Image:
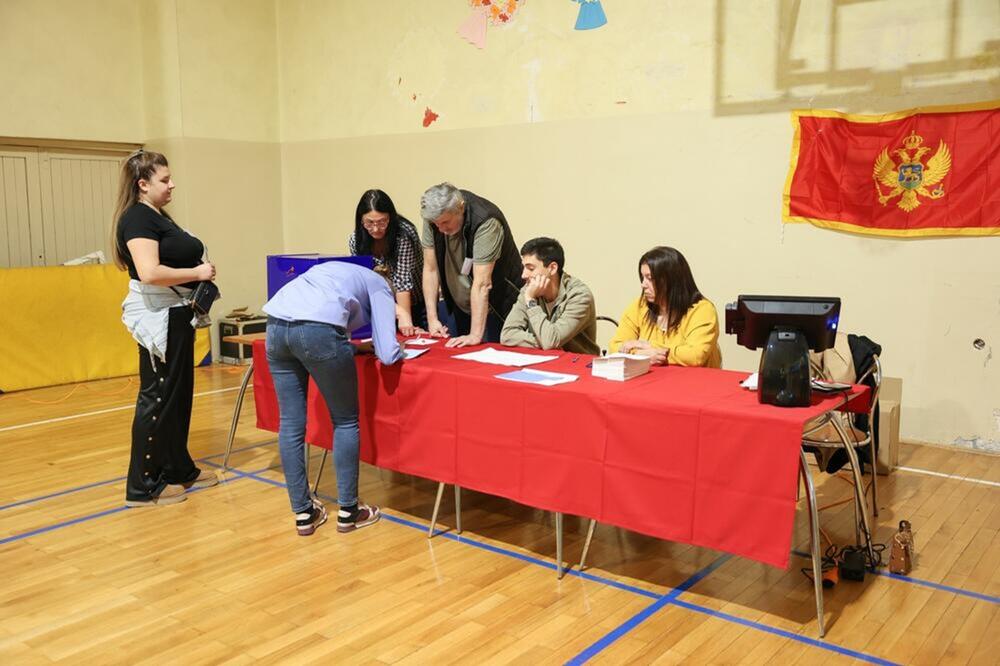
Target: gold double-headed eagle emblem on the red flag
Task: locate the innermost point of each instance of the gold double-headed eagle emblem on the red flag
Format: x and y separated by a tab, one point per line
911	177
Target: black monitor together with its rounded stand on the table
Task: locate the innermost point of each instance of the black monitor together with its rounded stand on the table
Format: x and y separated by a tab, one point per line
786	328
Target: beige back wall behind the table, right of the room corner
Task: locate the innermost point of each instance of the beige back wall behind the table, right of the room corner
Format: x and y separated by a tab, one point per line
669	125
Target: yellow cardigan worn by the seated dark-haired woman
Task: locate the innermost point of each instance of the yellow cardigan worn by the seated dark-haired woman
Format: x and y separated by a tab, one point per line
694	342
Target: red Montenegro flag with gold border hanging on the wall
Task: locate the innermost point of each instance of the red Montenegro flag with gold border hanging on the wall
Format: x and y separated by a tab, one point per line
922	172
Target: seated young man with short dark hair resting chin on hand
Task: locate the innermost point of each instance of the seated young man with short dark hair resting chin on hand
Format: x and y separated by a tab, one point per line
555	310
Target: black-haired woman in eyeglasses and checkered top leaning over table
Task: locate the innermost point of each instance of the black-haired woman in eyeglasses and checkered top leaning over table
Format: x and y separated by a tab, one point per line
392	240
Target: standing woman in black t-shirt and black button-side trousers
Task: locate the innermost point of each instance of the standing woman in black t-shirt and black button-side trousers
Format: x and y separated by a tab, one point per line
164	263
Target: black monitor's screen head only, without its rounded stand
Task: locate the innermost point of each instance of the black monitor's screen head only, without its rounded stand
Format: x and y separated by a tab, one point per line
752	318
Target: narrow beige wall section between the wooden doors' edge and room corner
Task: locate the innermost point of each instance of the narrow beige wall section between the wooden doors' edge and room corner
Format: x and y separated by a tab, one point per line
211	80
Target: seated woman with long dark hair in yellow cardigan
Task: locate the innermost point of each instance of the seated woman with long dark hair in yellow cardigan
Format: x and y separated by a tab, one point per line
671	322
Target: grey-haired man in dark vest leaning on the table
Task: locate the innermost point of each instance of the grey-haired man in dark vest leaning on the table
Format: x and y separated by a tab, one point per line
466	238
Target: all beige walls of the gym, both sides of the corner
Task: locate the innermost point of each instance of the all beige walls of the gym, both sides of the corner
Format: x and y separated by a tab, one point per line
668	125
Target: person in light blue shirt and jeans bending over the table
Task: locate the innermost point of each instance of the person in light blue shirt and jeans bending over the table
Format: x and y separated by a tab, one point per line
309	324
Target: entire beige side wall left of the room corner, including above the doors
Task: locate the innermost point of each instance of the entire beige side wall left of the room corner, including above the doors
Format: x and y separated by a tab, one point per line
195	80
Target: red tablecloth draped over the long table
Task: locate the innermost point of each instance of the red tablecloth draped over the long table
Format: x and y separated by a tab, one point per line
683	454
